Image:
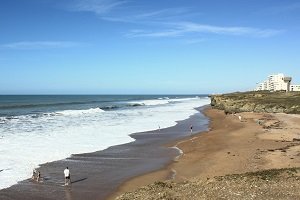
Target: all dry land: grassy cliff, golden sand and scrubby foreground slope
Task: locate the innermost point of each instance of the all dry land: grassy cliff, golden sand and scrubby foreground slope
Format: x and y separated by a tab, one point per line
252	157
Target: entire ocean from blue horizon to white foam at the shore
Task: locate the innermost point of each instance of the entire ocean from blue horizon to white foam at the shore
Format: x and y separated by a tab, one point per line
35	129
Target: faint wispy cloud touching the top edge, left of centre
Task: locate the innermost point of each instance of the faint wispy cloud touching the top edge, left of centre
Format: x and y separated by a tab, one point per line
96	6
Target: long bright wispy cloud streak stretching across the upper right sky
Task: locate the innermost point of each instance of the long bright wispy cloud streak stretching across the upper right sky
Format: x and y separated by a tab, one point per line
184	28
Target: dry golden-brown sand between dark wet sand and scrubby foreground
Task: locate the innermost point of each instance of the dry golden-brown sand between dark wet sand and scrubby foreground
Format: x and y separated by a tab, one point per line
259	141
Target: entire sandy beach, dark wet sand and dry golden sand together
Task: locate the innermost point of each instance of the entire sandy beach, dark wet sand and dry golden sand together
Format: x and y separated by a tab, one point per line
259	141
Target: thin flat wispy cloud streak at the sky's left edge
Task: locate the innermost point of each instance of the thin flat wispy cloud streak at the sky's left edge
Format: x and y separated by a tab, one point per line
32	45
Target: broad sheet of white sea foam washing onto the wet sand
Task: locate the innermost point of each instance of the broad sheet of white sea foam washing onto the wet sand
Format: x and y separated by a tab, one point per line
27	141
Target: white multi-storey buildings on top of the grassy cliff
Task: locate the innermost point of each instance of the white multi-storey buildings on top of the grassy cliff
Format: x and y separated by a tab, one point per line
277	82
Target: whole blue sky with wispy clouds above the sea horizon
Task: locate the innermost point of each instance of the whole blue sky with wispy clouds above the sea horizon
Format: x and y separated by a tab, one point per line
146	47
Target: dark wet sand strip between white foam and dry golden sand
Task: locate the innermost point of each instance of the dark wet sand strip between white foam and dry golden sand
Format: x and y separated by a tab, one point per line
97	175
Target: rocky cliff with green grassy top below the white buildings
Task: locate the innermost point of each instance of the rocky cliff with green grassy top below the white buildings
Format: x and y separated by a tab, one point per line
271	102
